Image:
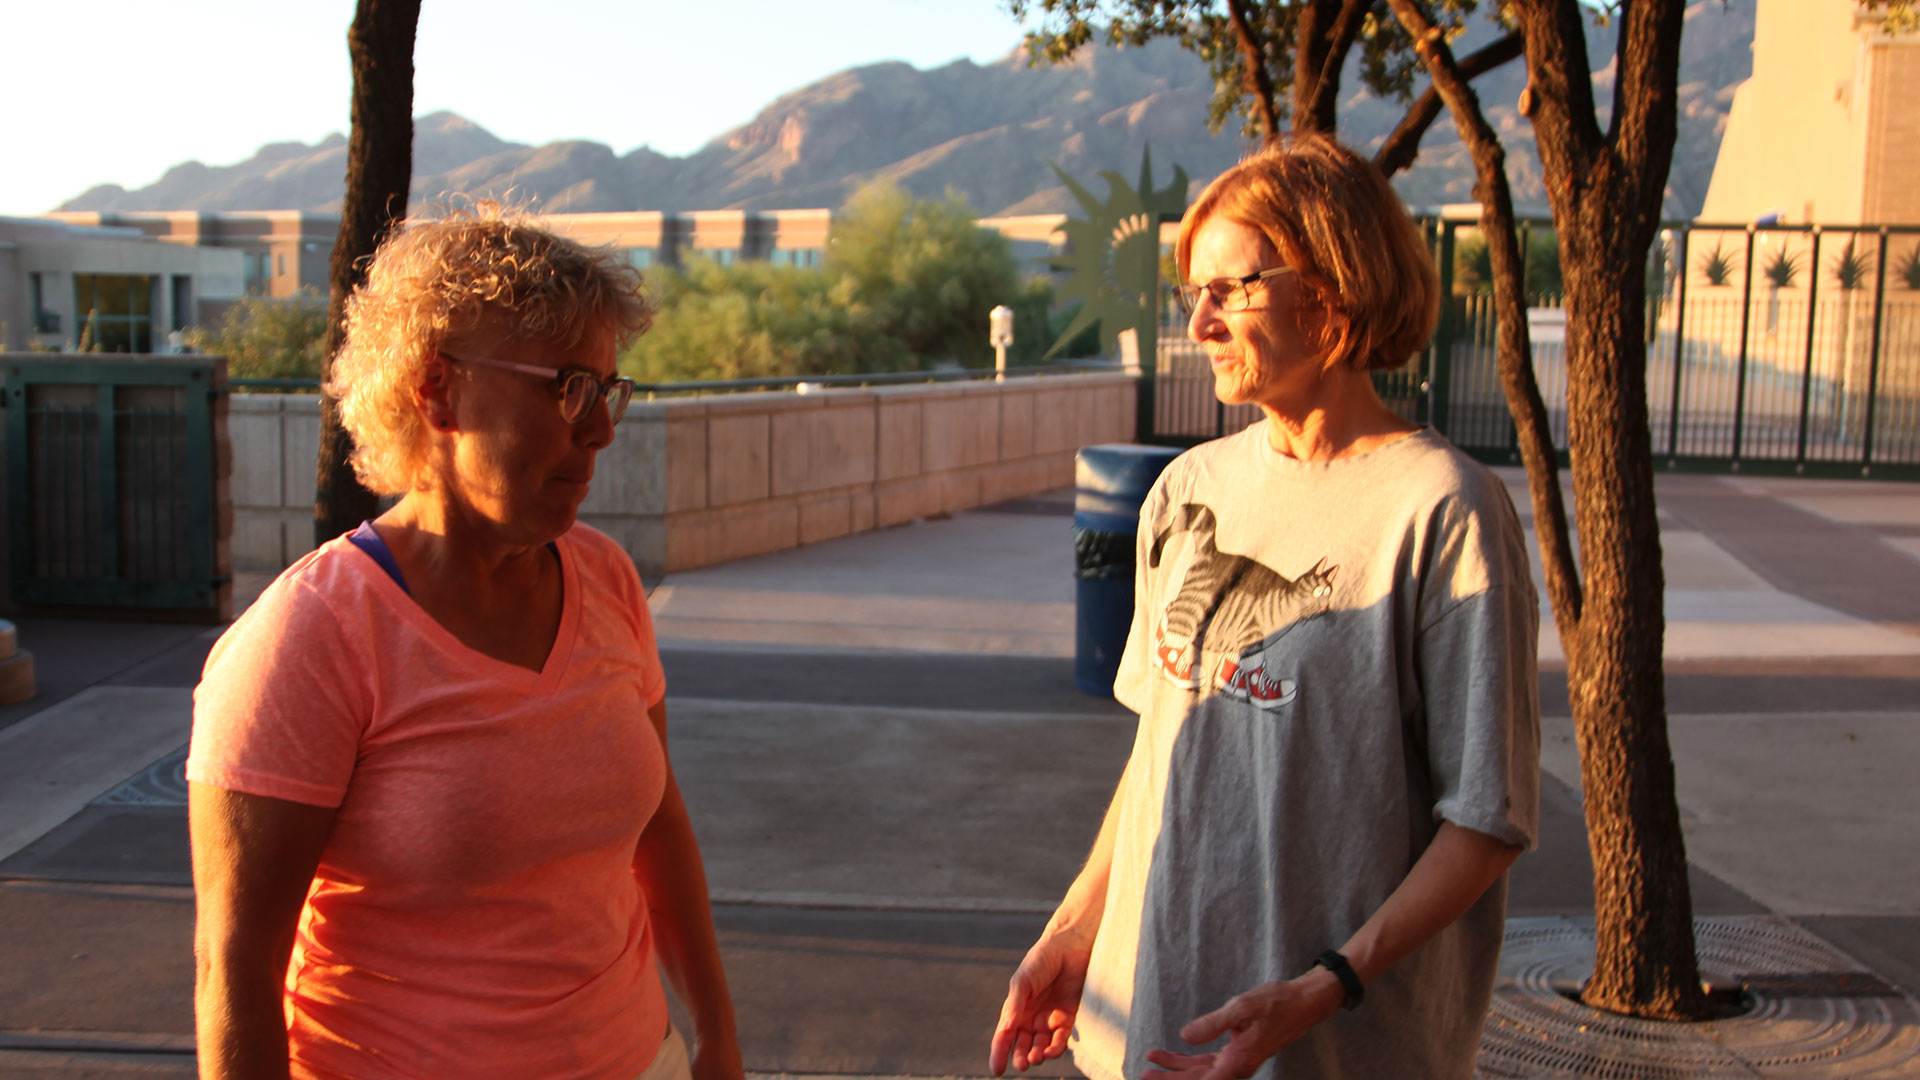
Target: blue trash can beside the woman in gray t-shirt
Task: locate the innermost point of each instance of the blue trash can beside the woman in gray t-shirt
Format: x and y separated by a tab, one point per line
1111	485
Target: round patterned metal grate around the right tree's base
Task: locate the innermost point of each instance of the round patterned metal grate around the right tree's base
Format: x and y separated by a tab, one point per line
1813	1012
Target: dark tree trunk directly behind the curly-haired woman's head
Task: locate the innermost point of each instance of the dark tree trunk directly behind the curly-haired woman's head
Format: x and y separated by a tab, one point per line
379	176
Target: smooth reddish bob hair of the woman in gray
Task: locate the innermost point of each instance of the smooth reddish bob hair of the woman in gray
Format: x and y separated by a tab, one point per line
1353	245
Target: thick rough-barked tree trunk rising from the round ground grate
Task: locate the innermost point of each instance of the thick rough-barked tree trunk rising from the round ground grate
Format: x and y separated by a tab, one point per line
1606	195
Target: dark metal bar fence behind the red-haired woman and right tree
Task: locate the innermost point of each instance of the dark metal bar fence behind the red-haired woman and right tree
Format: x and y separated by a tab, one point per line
1773	349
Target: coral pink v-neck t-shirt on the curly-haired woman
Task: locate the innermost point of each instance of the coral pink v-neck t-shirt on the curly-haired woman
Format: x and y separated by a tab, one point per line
475	912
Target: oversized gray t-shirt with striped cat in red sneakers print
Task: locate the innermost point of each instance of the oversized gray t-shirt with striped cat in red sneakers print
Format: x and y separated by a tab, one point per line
1330	658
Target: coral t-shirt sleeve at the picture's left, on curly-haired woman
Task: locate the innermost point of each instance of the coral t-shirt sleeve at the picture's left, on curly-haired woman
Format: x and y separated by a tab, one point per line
283	702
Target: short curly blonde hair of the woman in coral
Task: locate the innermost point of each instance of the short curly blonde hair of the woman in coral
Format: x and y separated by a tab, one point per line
469	272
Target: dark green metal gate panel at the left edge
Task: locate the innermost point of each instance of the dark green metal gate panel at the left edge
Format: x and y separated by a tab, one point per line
112	481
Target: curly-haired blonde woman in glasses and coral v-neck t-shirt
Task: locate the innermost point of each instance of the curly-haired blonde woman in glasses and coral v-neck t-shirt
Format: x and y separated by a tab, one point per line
433	816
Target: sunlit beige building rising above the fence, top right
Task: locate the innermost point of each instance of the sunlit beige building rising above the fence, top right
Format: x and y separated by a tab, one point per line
1829	126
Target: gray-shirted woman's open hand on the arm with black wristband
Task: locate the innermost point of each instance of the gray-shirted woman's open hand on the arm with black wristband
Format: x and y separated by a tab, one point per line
1259	1023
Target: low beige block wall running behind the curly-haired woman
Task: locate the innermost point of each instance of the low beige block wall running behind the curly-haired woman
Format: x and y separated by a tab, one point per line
698	481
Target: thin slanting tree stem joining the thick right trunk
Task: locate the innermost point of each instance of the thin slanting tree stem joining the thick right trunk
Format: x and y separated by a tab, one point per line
1510	308
